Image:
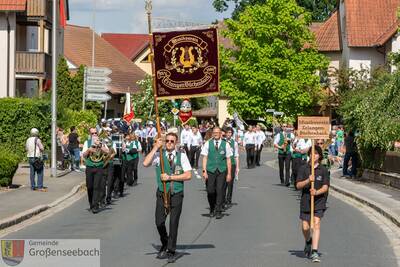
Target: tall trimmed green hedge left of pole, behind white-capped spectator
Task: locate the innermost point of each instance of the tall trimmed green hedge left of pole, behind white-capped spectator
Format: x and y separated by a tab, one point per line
18	116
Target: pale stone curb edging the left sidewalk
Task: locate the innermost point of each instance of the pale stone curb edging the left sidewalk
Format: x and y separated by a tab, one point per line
25	215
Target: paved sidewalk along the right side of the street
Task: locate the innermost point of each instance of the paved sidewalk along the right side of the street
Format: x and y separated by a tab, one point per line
383	199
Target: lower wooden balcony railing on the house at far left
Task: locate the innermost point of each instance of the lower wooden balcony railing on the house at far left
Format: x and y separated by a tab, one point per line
33	63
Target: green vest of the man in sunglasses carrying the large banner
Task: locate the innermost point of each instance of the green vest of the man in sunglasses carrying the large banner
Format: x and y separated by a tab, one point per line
177	185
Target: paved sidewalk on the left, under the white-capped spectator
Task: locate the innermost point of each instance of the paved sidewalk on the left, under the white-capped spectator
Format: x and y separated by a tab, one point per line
22	203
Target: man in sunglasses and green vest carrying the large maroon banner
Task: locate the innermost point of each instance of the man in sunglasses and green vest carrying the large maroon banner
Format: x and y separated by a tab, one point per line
177	170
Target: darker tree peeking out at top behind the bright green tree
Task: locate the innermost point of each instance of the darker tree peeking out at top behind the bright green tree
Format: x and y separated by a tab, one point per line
320	9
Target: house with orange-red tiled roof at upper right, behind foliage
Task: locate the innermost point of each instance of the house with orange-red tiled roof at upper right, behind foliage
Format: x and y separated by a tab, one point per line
360	33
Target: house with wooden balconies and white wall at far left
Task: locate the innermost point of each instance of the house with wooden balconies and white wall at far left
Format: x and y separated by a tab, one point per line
25	45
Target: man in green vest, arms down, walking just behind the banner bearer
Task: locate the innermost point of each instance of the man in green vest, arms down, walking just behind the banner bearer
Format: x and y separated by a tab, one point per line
217	167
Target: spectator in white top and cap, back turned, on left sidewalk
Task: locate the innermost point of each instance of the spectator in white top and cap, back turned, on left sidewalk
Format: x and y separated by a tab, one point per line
34	148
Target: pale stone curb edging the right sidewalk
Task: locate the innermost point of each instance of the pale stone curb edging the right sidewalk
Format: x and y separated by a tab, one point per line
395	219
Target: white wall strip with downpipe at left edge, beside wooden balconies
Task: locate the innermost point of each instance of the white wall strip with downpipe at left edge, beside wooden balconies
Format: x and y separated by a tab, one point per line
5	40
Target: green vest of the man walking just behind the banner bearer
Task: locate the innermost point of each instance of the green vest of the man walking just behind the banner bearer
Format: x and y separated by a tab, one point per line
216	160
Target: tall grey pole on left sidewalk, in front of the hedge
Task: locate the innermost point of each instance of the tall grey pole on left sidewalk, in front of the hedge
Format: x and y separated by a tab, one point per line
54	93
